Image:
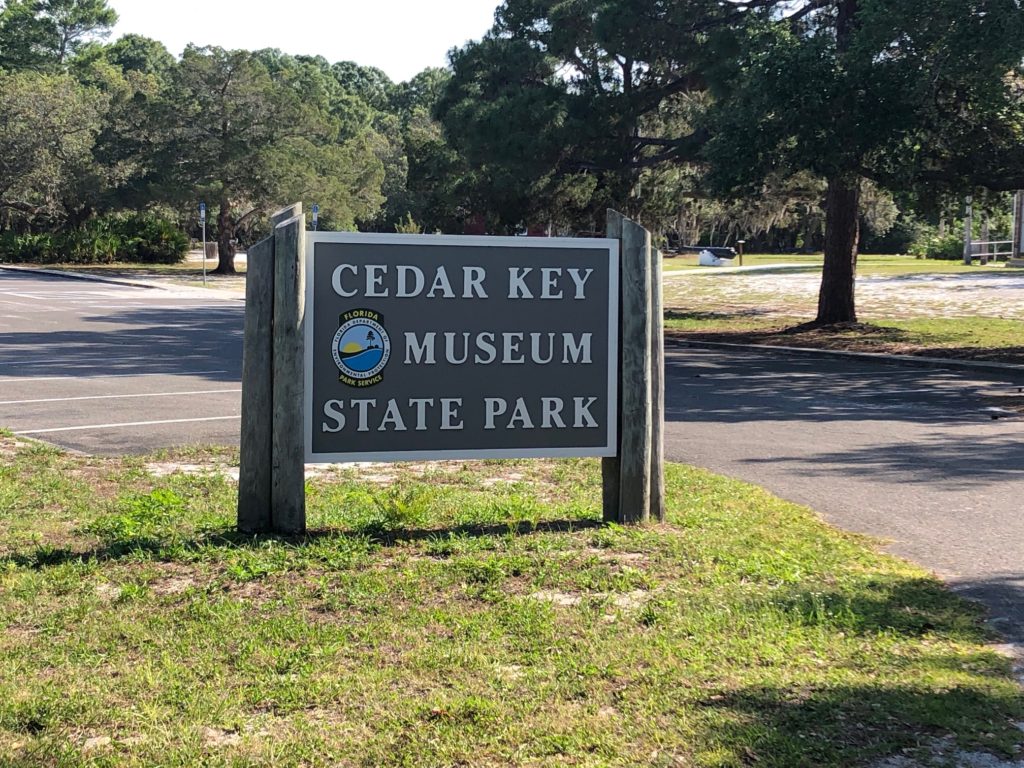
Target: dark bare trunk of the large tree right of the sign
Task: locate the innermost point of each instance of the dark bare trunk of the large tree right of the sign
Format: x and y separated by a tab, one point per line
836	300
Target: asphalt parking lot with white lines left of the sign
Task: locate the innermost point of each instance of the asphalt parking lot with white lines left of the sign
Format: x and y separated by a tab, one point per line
112	369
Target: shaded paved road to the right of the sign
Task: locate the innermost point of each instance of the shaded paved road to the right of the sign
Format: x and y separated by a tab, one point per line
901	453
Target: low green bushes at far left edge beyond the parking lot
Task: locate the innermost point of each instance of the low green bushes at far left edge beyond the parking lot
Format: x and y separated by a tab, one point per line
140	238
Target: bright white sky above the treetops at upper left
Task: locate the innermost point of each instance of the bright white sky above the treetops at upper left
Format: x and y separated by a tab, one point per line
401	37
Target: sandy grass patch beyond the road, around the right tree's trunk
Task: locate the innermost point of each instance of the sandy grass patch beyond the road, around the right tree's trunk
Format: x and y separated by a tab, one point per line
945	317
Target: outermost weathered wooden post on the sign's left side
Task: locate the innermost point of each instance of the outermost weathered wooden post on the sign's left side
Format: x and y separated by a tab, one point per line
257	460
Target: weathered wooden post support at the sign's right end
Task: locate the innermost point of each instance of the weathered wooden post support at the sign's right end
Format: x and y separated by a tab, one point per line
636	431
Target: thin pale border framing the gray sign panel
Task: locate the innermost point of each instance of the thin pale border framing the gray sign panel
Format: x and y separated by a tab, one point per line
603	245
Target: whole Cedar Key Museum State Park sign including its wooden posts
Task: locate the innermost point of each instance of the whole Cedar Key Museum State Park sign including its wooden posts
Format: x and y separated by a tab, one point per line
381	348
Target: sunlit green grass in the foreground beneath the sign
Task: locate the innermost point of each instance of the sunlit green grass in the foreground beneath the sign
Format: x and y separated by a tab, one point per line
466	615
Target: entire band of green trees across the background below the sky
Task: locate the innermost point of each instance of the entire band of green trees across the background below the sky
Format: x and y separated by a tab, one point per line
794	123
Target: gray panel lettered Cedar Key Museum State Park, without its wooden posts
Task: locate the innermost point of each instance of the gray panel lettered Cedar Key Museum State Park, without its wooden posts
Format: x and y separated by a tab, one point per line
459	348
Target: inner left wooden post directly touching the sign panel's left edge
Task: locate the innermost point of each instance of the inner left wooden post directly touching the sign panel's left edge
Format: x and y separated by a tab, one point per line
288	471
